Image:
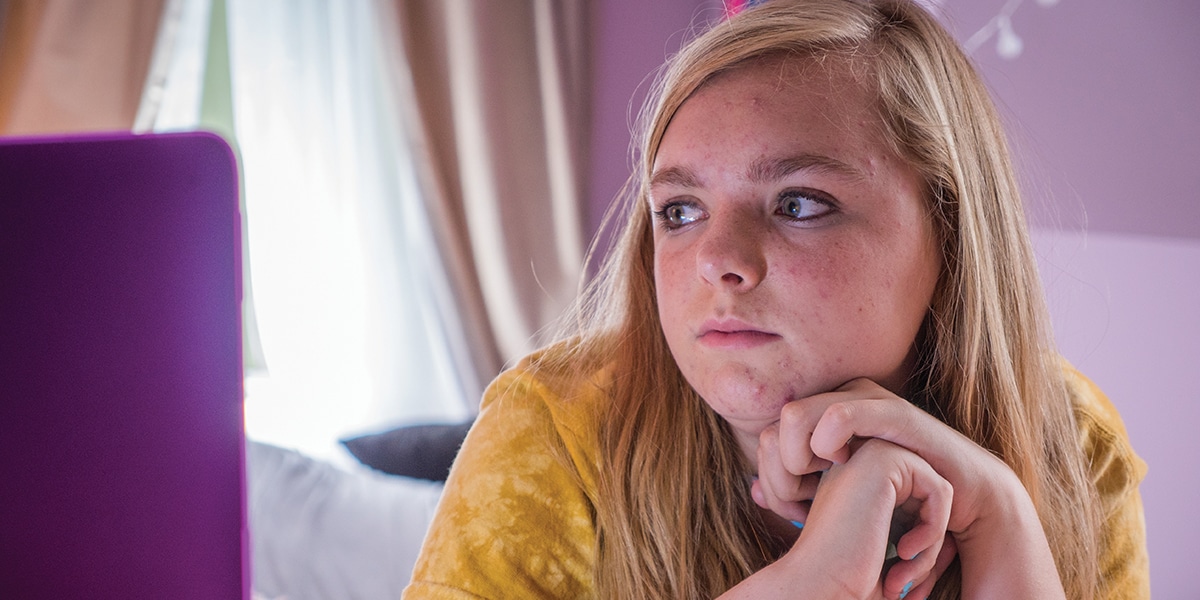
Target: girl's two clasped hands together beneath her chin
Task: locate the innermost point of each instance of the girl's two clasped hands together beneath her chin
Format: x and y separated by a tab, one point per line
856	465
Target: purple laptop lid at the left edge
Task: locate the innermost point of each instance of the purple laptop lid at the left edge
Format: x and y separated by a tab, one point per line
122	433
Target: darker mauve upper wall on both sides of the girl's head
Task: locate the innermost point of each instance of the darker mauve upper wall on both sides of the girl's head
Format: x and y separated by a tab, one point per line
1101	103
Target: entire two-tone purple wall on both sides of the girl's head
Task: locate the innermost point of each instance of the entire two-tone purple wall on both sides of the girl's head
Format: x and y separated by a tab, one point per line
1101	106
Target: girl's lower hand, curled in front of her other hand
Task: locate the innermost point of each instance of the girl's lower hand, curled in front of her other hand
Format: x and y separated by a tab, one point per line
855	508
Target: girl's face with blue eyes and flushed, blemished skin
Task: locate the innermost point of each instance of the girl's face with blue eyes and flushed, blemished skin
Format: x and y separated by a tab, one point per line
793	248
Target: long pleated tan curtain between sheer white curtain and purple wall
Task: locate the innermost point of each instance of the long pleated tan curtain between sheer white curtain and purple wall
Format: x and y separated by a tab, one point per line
496	98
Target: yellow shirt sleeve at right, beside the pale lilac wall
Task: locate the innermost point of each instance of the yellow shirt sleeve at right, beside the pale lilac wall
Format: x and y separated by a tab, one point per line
1117	472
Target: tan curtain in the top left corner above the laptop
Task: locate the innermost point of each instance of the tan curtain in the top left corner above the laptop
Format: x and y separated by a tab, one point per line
74	65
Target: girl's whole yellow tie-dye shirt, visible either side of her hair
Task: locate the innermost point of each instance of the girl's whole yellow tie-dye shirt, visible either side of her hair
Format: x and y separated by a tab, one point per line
518	519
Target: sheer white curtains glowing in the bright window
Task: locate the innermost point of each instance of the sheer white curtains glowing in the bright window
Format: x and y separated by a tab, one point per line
346	278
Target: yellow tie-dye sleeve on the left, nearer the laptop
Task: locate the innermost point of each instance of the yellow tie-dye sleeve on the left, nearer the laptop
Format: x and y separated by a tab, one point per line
515	520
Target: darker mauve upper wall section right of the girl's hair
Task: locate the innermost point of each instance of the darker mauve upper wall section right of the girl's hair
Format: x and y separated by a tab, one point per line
1103	101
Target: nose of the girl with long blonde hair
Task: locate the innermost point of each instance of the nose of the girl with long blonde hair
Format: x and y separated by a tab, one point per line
731	254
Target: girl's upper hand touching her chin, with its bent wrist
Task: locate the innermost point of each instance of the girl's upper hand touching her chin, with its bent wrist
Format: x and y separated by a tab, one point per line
993	520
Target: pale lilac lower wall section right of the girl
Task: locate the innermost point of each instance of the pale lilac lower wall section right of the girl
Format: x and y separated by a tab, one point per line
1124	311
